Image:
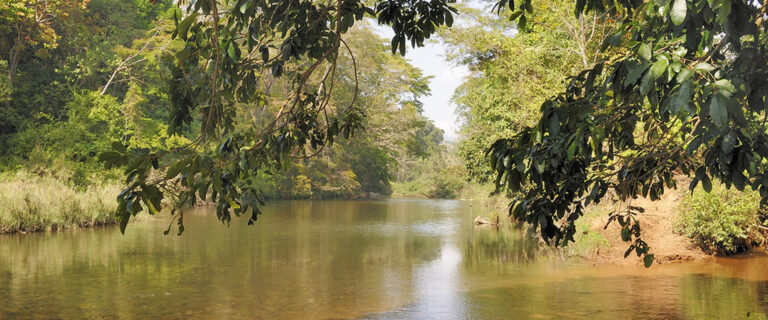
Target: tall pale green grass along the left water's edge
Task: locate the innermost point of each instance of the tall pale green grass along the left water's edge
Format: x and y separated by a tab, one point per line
30	203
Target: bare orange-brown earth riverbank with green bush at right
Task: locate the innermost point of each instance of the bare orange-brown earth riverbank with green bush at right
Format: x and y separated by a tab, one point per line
660	224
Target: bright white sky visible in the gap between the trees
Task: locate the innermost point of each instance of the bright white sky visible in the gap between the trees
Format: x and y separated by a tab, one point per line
446	78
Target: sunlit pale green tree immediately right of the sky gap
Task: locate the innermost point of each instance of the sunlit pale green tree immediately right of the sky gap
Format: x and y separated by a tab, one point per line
512	74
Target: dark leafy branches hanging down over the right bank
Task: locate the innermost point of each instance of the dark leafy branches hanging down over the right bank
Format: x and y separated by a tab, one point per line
684	92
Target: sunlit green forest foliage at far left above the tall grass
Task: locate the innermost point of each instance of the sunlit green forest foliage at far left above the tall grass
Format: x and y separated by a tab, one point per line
99	83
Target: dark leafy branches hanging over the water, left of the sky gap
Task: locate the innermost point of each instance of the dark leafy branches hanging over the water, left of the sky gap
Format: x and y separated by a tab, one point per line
280	58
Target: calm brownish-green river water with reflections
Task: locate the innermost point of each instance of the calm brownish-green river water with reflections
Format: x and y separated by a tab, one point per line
388	259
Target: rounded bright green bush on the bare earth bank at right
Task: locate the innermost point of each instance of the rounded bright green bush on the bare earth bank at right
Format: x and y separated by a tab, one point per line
723	221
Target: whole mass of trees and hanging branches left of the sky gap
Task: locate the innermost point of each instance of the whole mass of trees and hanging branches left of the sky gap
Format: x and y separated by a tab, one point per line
110	80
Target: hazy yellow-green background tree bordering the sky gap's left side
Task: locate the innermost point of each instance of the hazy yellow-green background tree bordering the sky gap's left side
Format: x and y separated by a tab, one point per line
388	90
